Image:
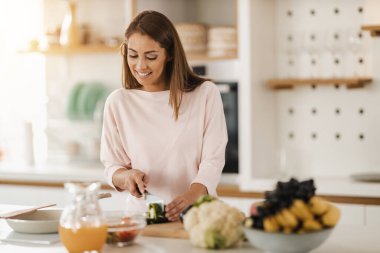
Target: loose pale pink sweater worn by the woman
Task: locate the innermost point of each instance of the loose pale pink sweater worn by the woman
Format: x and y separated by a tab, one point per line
139	131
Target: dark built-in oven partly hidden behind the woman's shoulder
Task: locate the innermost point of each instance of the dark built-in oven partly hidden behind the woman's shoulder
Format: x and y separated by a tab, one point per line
229	93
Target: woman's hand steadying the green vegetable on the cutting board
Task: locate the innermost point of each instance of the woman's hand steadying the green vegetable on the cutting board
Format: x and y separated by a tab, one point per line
181	202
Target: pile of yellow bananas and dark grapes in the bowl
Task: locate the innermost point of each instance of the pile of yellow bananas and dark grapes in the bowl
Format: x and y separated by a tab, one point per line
293	208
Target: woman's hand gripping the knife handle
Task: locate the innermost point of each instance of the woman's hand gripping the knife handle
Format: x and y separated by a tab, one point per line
132	180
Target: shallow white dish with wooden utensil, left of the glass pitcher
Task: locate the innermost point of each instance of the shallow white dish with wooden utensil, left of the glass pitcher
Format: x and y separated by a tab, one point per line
38	222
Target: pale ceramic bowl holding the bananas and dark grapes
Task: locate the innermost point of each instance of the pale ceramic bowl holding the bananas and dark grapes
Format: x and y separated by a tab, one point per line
286	243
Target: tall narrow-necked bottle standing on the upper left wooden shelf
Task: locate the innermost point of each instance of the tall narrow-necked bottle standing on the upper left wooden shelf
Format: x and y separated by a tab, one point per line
69	30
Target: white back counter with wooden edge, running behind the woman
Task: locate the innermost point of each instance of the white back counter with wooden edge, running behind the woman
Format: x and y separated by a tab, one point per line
342	190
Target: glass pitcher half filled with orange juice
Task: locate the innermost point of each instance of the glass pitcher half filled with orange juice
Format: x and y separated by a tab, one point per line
82	226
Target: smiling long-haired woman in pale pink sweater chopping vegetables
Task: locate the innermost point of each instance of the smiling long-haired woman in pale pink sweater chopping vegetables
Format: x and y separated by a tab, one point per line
164	132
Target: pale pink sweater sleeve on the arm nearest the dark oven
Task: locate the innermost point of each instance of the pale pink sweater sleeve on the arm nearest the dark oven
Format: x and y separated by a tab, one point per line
215	139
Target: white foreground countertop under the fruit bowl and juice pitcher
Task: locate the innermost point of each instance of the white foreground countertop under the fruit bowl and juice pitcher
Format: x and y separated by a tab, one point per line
345	238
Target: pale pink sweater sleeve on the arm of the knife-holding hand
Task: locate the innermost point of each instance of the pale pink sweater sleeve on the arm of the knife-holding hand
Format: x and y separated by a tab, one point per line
112	153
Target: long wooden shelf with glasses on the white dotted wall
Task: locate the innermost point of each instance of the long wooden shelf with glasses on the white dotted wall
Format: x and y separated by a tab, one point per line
354	82
